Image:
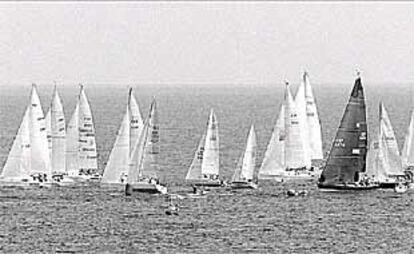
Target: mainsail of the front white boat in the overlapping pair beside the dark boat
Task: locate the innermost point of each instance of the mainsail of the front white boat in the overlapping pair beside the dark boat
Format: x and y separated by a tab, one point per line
295	152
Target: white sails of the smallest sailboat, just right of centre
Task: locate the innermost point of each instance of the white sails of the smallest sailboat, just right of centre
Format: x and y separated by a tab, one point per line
248	159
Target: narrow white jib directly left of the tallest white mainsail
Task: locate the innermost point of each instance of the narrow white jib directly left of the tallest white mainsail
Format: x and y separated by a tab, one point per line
300	103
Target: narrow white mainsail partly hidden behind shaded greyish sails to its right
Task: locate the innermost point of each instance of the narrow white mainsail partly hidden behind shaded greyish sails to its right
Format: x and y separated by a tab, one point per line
135	118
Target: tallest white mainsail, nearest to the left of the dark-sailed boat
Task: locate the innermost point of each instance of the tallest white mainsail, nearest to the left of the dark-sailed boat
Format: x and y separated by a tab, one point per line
313	122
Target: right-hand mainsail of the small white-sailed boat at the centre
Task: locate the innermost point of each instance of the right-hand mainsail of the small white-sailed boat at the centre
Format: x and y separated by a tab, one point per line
210	163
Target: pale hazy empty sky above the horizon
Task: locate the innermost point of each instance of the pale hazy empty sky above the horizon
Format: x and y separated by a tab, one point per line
205	42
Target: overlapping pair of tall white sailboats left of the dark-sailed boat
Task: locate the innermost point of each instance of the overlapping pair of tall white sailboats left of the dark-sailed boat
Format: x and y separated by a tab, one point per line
296	138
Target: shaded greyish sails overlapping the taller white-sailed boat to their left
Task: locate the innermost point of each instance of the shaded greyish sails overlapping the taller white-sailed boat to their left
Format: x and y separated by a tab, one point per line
144	158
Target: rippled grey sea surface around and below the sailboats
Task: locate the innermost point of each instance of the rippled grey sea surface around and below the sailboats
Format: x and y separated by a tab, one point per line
94	220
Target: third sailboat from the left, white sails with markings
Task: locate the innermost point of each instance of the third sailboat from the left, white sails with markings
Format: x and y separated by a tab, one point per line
81	154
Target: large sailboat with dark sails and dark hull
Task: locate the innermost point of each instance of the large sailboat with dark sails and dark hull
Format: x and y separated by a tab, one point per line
346	162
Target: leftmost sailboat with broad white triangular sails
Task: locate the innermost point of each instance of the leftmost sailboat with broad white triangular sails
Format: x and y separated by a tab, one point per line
28	162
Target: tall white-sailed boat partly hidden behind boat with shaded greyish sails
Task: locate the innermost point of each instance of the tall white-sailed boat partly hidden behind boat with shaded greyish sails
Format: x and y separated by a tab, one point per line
116	171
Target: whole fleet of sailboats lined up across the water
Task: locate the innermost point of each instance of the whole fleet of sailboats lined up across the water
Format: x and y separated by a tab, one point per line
45	151
